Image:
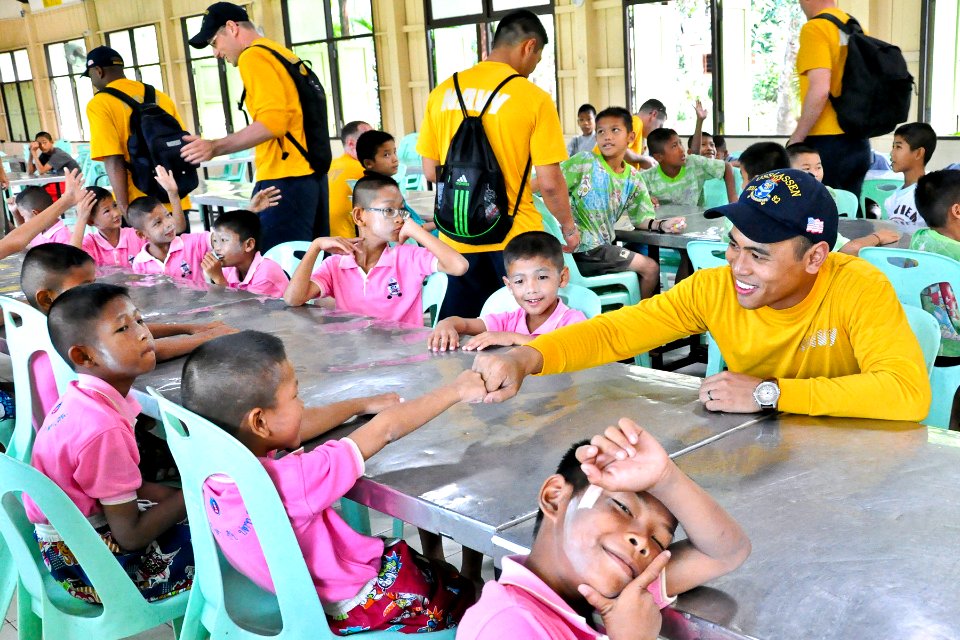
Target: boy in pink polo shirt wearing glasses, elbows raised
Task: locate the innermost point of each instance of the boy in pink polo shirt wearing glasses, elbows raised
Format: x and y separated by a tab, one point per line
367	276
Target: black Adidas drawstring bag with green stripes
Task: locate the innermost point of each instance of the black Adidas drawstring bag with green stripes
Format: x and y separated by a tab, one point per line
472	205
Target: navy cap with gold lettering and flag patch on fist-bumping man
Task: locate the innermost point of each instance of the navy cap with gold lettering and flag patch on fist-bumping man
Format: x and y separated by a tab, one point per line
783	204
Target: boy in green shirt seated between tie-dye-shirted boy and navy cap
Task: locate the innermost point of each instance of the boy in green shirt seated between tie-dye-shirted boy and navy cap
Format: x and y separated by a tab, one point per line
679	178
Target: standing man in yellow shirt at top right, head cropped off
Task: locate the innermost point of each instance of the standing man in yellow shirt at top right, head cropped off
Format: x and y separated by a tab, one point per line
820	61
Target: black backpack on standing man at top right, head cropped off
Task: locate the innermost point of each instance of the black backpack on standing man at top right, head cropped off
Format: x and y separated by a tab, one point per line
877	87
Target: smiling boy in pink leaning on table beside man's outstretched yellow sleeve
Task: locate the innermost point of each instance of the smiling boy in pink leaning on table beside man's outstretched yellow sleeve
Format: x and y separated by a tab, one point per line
535	272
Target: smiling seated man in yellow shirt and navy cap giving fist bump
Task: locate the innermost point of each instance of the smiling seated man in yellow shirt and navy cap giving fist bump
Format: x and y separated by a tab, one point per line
802	330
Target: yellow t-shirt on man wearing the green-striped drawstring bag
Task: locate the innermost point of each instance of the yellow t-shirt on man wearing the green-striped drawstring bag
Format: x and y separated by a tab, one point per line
522	123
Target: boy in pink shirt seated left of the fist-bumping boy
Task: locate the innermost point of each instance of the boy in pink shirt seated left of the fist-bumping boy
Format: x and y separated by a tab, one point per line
86	445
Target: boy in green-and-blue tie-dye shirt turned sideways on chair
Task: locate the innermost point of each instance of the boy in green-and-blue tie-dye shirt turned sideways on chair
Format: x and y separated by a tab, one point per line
603	187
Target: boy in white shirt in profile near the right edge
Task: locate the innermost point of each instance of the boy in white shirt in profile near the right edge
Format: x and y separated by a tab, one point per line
913	146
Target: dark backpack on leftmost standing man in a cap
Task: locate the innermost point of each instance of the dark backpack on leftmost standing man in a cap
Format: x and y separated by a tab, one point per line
156	138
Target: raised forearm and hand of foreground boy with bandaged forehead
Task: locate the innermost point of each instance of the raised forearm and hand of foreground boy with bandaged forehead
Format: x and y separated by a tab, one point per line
715	543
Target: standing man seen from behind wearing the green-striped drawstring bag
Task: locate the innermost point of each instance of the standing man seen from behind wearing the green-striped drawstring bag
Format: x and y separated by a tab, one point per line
522	125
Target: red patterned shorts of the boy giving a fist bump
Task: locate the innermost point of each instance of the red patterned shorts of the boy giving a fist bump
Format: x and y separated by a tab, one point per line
411	595
